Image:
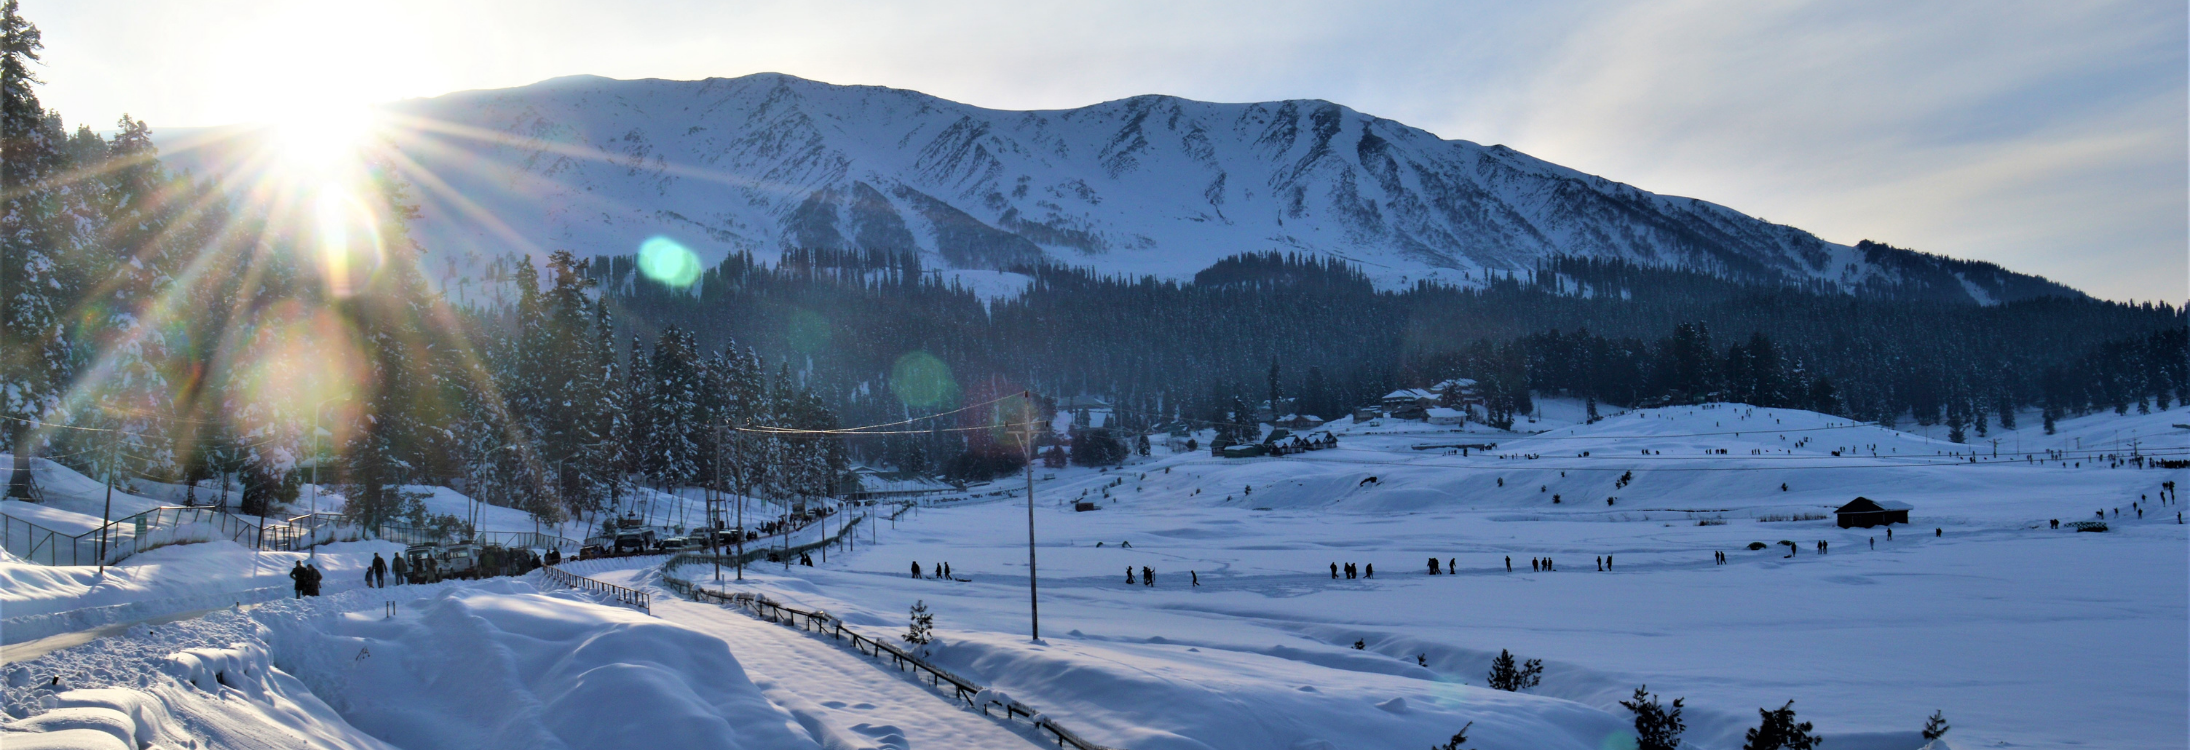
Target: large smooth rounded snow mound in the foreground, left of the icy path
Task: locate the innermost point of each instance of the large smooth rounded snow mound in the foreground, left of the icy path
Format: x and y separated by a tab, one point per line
525	670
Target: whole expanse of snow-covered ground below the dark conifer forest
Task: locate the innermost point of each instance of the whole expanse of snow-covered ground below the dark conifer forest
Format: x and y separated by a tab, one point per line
2020	633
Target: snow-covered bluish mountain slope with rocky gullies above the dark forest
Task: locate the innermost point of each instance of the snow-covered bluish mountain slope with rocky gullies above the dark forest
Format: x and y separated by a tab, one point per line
1146	185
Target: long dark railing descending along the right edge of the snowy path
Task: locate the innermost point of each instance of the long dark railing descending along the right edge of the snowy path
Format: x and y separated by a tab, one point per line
873	648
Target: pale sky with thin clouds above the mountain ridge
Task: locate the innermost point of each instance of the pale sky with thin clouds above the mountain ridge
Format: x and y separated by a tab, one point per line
2044	137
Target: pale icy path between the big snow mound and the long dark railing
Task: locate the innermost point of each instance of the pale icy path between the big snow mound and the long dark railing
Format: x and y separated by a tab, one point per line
840	696
